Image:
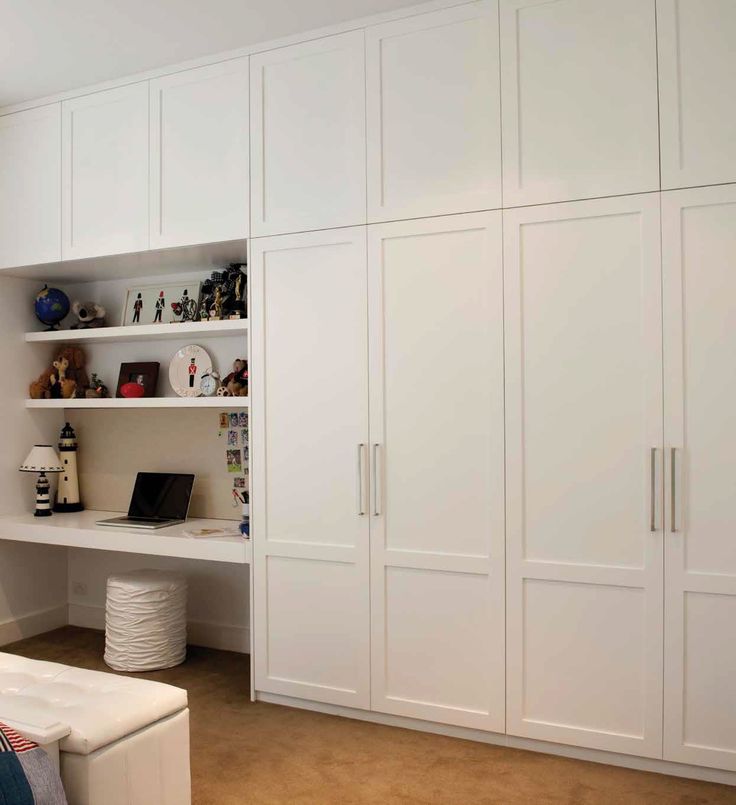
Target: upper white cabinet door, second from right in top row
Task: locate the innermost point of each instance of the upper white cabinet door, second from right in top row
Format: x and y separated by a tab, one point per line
579	92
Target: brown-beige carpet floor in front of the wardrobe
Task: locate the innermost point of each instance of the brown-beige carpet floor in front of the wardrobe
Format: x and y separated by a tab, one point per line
261	754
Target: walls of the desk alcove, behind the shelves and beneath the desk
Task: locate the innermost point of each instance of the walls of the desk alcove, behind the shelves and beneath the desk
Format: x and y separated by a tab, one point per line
40	583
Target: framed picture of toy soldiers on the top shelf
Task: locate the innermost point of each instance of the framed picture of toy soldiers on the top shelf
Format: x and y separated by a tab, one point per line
169	303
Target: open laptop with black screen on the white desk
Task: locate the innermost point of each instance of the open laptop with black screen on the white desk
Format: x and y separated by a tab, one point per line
160	499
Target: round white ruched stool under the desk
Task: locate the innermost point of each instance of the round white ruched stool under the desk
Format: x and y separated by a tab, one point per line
146	620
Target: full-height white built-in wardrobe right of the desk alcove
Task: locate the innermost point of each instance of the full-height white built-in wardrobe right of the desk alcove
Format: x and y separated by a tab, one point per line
494	428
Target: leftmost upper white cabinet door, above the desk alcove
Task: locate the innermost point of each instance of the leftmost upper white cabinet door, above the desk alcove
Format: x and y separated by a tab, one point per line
30	187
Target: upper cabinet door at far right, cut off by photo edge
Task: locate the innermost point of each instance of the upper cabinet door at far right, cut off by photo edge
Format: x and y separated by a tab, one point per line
697	74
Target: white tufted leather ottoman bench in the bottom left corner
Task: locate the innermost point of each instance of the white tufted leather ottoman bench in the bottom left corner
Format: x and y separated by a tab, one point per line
128	739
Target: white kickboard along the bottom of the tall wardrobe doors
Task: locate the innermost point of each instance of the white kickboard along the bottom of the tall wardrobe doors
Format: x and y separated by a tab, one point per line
511	741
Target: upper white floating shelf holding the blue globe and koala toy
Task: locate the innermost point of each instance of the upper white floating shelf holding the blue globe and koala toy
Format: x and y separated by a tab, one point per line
143	332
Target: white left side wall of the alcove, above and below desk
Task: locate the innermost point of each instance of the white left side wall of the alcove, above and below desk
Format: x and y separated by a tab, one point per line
32	577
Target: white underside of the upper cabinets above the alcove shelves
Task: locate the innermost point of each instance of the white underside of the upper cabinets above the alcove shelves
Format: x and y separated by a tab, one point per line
149	263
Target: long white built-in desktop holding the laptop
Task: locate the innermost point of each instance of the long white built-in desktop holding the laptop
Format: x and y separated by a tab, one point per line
79	531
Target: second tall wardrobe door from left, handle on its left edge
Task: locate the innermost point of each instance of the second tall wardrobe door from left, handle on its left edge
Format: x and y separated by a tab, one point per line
437	538
